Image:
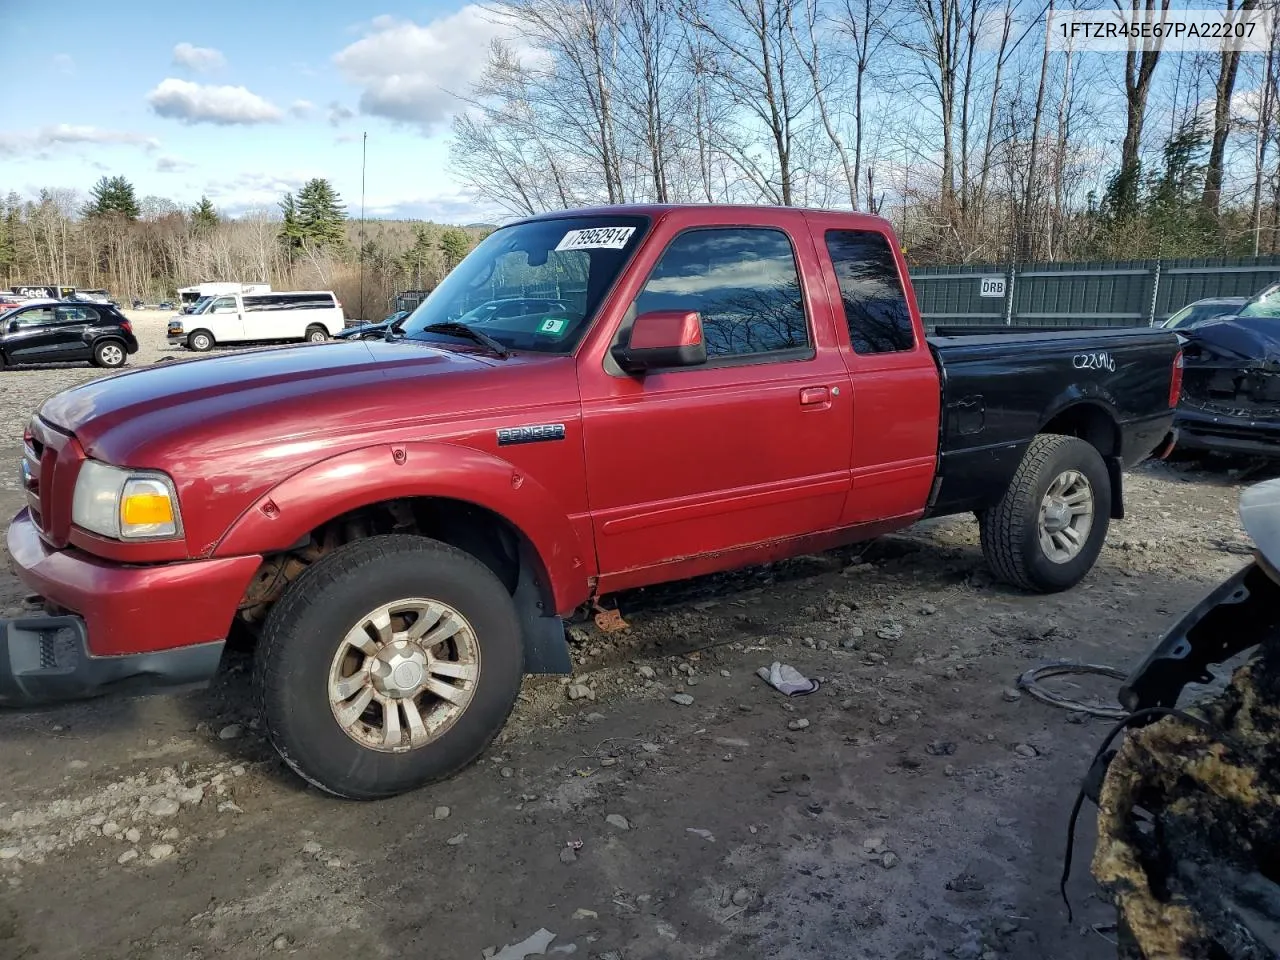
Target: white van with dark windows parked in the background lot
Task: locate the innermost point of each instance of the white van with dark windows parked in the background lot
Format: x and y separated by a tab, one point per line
259	318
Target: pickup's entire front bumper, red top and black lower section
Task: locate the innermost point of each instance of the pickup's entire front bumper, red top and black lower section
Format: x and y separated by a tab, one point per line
116	623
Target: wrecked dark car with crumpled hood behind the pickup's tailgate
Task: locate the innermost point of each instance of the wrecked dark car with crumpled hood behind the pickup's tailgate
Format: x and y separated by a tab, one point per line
1231	401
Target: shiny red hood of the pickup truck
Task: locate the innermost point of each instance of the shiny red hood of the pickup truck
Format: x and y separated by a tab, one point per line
322	396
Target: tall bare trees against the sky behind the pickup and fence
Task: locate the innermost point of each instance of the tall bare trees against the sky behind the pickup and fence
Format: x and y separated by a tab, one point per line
954	118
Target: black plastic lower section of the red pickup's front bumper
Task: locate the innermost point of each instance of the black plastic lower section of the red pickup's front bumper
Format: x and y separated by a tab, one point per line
45	660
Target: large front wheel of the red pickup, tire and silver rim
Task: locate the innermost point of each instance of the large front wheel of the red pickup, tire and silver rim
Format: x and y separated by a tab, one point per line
388	665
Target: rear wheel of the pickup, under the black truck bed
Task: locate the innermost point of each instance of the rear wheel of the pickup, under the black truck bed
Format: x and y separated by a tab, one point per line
1049	528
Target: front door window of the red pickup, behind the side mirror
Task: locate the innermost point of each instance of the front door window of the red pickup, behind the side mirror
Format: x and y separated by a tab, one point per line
746	285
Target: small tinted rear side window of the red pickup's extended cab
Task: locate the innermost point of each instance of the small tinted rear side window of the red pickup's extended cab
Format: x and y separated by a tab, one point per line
871	292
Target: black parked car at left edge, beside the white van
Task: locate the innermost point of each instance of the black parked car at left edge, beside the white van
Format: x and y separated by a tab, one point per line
58	332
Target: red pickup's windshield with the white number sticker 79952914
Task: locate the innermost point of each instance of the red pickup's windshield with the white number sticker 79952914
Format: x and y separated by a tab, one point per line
534	286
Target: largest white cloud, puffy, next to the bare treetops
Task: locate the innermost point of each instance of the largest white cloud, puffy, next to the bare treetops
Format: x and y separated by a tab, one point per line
412	74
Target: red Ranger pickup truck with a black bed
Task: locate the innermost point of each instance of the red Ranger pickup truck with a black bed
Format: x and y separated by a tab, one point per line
406	519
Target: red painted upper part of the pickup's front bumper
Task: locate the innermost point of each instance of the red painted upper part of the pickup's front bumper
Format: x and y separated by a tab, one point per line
132	610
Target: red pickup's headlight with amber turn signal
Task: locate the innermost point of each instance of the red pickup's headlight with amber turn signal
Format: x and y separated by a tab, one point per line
125	505
